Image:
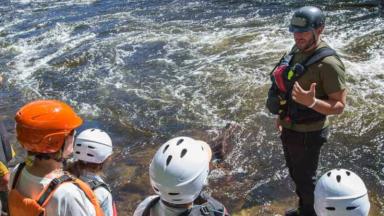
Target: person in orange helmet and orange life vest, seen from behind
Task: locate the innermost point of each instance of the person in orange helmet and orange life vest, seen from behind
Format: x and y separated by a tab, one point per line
46	130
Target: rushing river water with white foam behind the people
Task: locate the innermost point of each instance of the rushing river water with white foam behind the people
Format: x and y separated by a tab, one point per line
146	71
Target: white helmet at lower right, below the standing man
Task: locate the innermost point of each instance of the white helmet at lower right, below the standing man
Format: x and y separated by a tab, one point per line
341	192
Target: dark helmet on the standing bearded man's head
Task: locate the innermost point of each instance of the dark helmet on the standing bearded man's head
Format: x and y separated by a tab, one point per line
306	19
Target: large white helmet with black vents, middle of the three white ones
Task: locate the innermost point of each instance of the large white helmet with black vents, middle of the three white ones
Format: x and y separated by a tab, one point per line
179	169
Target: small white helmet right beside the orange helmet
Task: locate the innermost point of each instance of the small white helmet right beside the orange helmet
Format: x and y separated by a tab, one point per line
92	145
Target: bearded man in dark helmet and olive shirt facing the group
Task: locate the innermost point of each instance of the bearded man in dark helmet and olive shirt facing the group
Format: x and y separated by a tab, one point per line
307	85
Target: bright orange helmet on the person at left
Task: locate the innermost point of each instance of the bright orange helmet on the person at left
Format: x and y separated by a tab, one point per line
43	125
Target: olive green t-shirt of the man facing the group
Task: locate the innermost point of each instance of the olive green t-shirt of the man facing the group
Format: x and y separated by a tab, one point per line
328	74
